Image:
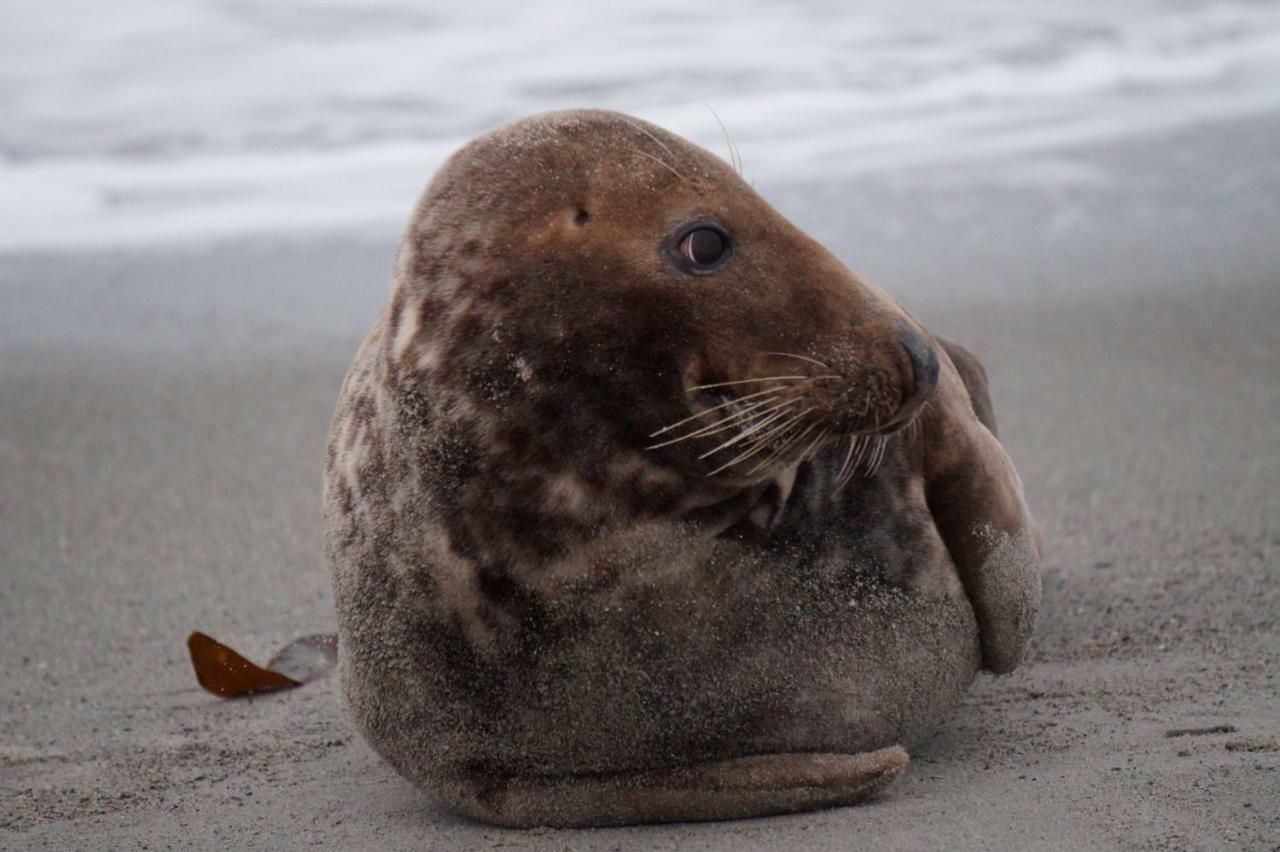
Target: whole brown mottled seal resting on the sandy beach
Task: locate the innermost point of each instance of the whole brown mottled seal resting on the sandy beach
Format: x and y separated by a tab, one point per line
628	523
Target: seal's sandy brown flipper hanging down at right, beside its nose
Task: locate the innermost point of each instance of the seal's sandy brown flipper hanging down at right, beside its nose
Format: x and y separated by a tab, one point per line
976	498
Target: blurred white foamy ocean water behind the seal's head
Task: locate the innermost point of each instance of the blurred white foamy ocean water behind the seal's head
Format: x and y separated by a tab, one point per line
145	122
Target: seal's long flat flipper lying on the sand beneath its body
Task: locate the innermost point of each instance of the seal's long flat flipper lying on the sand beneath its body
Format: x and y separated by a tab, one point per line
744	787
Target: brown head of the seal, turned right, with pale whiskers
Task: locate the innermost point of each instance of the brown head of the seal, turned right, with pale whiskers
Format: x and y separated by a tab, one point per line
593	268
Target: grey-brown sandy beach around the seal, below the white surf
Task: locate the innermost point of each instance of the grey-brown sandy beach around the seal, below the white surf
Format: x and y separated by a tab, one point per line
162	423
